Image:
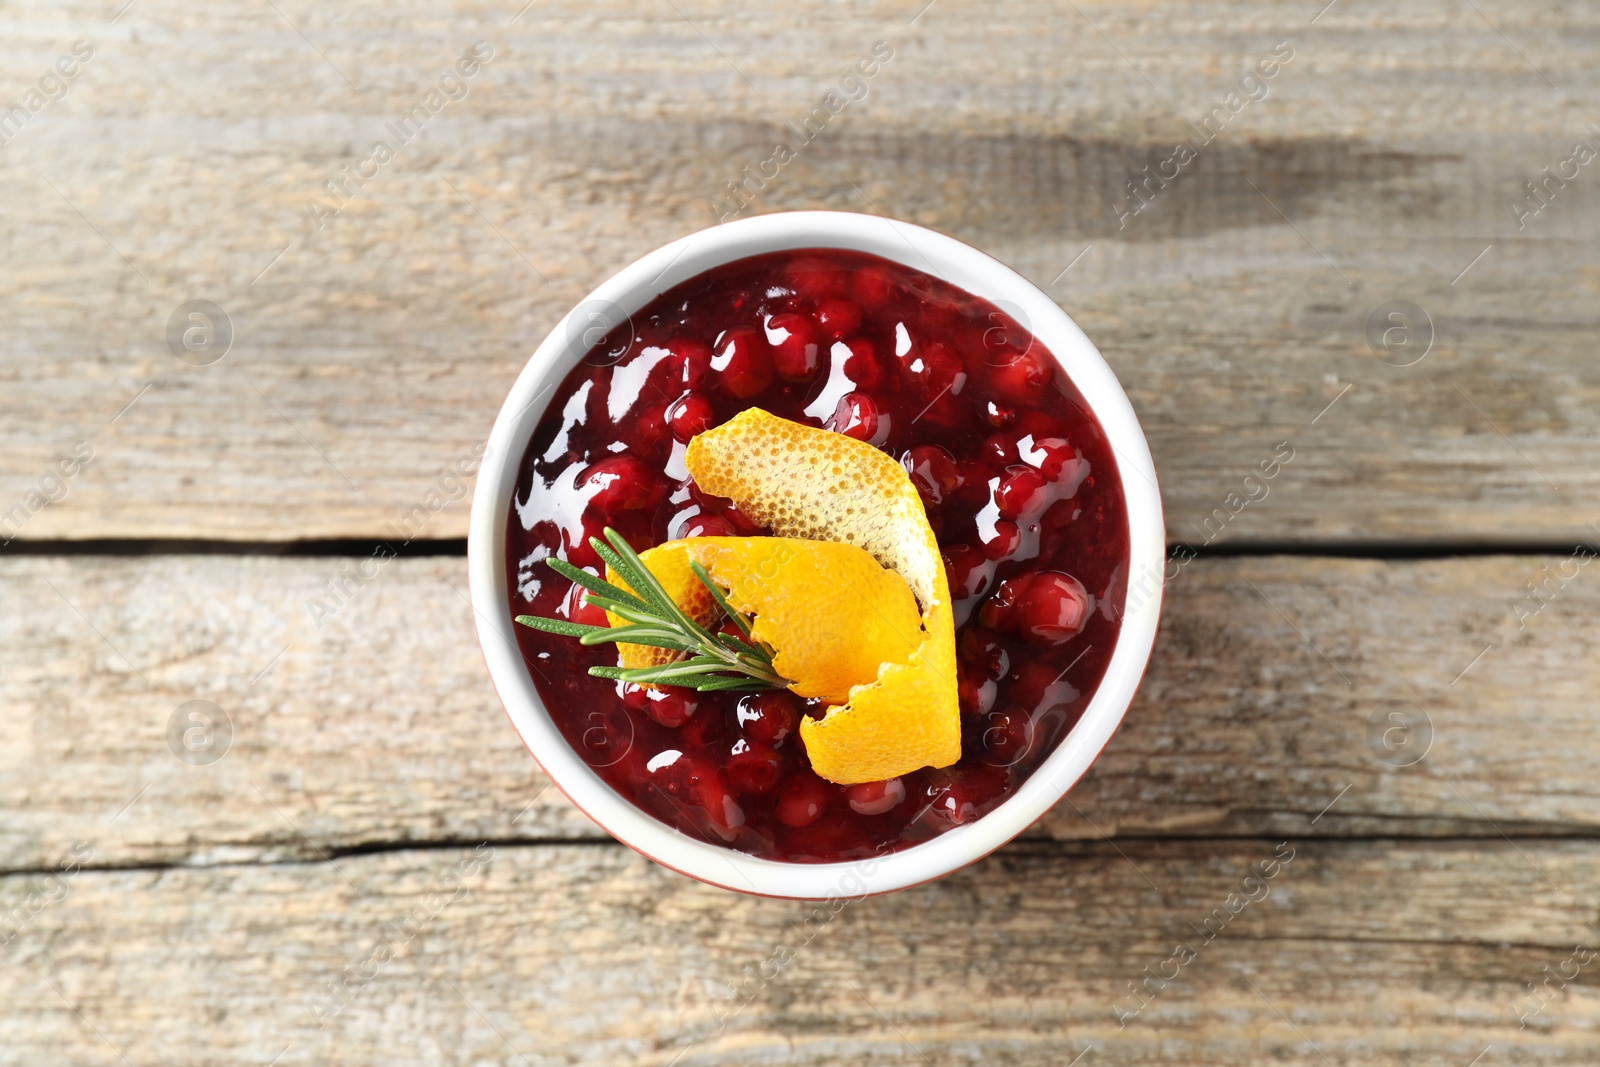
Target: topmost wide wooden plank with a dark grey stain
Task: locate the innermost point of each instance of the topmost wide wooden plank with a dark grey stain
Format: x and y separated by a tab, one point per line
372	353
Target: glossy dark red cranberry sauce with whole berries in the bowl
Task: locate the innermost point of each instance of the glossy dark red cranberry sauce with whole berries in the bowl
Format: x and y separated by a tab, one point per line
1020	487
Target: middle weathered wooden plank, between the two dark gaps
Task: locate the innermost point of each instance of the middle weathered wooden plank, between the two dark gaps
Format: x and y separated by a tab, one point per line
382	727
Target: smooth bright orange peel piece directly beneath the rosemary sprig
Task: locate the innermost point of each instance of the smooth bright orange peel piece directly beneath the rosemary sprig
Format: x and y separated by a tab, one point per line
830	612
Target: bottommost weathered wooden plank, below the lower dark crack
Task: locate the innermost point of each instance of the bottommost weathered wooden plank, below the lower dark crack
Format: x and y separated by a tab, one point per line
1350	954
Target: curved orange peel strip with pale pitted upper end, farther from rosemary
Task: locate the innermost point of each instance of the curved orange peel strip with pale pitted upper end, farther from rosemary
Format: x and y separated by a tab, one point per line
817	486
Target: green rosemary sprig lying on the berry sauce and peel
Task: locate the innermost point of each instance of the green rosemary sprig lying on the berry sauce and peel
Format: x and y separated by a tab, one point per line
706	661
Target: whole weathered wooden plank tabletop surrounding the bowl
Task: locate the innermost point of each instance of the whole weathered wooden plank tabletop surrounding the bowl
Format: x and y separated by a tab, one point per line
1385	669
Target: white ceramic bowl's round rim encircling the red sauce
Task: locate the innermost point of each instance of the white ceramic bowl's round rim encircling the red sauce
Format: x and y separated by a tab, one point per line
628	292
